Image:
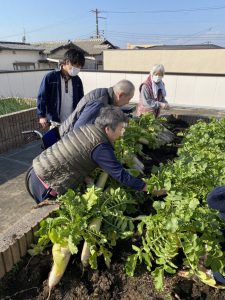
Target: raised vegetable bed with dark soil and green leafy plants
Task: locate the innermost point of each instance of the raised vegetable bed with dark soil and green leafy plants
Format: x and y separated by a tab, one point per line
158	240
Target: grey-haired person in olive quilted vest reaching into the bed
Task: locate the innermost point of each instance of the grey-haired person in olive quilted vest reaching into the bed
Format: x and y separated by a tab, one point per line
68	162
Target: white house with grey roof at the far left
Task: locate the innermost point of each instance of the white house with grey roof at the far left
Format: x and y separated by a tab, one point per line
15	56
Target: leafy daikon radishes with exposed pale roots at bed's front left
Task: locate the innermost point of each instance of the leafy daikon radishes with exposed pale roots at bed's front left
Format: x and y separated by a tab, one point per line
75	221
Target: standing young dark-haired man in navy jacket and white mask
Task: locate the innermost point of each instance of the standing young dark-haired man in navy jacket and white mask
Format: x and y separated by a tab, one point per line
61	90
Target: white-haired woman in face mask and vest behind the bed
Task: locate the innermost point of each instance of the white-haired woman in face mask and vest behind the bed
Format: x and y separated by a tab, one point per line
152	93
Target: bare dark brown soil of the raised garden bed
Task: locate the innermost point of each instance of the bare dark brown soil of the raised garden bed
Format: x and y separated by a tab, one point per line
28	279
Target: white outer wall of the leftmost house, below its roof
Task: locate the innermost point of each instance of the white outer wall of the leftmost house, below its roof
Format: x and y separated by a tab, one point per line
8	57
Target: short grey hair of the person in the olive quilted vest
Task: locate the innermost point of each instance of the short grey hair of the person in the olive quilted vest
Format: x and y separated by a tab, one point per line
110	116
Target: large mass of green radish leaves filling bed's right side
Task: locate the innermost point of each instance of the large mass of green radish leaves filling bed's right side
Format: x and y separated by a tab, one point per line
182	221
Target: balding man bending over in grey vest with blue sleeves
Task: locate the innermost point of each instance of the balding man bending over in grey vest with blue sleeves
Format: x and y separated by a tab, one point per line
89	106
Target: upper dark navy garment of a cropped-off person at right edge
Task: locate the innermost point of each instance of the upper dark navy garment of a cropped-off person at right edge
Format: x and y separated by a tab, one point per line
216	200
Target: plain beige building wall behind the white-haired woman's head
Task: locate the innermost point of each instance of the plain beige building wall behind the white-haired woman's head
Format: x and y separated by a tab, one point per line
190	61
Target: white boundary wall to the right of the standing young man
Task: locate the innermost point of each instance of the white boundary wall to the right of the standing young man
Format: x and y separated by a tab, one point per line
195	90
